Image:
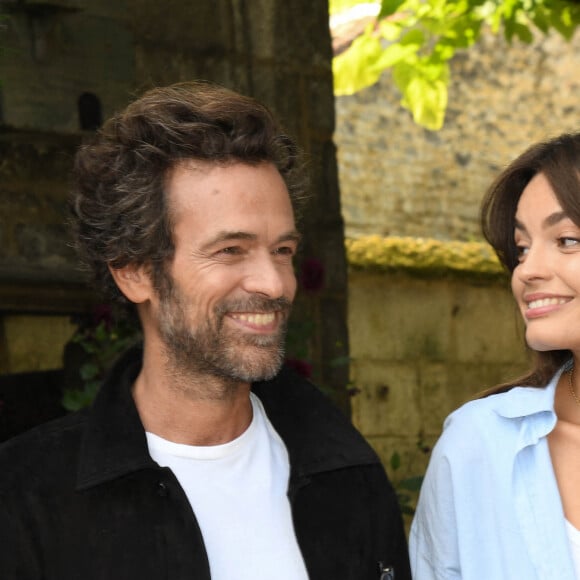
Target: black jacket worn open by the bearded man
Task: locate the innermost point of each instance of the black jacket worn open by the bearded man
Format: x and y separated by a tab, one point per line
81	499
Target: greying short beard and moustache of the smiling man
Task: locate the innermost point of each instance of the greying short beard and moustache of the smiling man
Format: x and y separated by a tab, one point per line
211	348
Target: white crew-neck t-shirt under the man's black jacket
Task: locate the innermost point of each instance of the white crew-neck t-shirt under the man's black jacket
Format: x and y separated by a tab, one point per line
238	494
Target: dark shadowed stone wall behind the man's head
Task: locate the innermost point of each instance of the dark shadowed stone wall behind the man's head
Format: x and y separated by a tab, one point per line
67	64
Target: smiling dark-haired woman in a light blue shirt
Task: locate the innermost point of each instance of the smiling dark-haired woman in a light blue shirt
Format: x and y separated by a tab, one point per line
501	497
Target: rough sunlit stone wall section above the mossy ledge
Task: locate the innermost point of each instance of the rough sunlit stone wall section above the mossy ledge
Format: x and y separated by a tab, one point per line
399	179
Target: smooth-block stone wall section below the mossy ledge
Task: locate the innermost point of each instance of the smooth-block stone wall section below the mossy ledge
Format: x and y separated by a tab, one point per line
419	349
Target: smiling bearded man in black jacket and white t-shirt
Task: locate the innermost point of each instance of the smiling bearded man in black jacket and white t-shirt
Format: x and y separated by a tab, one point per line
200	458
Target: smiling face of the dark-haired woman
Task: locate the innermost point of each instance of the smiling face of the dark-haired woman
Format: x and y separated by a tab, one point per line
546	281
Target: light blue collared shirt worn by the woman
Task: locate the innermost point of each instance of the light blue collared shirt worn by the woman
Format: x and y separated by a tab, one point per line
489	507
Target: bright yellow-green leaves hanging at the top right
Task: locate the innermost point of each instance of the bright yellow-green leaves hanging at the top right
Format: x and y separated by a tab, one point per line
418	38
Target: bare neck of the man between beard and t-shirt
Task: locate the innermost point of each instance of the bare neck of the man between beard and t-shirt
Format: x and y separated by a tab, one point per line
193	410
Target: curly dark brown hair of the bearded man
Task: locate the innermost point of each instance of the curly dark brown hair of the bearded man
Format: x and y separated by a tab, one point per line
119	201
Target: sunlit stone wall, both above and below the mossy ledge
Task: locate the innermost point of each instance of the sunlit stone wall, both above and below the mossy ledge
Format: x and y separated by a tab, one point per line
421	347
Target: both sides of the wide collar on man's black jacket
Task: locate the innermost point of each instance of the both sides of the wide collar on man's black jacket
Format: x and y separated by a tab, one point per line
318	436
